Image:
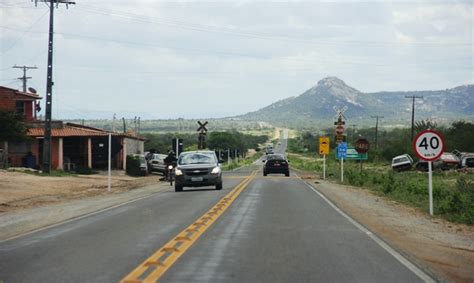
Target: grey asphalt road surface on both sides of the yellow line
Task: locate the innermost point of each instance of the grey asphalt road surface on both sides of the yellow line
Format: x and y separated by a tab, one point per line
277	230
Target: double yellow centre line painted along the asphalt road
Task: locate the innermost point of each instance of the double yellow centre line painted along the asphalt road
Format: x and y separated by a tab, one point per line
156	265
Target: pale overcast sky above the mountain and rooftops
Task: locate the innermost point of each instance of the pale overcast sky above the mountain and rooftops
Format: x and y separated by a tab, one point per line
202	59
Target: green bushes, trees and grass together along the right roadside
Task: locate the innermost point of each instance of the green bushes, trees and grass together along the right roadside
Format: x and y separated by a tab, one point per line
453	191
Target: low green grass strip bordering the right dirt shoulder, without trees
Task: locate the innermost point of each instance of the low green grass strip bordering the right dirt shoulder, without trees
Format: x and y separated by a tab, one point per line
453	192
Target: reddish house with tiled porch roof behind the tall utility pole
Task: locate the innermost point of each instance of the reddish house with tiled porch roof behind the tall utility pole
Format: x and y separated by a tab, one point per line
72	145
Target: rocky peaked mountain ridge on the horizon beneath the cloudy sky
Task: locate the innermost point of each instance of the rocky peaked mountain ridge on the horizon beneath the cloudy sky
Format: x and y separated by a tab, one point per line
315	106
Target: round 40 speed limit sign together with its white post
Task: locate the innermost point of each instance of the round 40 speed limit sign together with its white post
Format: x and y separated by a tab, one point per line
429	145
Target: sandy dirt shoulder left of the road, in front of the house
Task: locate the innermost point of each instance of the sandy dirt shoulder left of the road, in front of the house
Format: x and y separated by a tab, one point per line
30	202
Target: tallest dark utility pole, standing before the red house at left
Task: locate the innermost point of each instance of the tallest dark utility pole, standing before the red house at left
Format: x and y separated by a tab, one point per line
49	84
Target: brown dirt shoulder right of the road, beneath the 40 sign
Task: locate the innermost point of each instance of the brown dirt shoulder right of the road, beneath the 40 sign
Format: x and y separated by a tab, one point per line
443	248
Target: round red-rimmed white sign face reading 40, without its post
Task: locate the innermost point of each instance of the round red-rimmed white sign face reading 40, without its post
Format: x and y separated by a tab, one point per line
428	145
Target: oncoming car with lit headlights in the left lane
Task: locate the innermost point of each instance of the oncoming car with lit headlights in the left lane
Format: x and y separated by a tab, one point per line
197	169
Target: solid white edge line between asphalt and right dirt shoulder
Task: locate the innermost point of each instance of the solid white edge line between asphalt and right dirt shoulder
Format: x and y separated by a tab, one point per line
412	267
